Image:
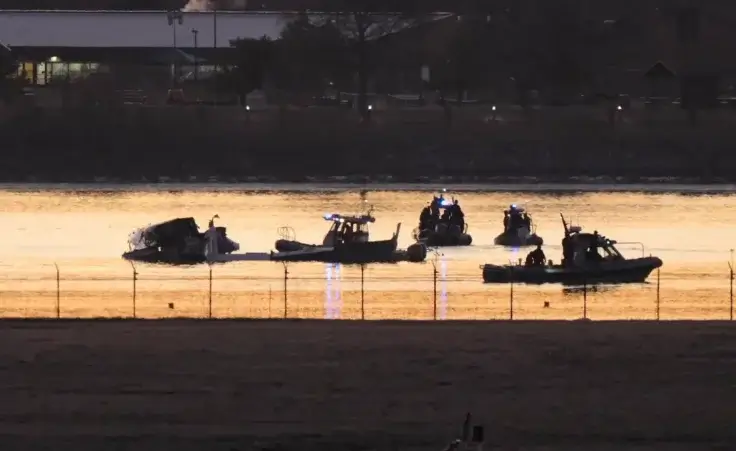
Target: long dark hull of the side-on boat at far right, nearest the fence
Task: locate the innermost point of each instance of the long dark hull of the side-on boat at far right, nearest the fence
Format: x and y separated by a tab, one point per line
613	272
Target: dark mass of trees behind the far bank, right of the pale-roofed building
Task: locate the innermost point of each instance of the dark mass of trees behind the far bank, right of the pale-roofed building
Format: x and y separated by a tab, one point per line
345	50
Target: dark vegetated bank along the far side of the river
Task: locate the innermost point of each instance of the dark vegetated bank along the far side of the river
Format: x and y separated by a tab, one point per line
324	144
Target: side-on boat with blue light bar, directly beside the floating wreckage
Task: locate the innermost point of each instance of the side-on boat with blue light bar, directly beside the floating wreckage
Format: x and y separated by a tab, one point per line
348	242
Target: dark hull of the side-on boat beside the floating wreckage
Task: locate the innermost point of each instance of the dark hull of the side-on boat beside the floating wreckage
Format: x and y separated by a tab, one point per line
353	253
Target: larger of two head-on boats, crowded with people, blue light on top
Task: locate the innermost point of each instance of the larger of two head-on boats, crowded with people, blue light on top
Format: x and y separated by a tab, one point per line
442	223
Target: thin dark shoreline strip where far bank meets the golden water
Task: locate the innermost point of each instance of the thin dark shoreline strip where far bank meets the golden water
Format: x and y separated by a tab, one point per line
467	184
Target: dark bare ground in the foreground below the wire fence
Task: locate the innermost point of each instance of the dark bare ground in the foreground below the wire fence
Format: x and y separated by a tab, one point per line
225	385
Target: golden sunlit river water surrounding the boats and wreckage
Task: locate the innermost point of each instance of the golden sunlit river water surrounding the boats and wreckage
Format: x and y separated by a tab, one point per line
83	230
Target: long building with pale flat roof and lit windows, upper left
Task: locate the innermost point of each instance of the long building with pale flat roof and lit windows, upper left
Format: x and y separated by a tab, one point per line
52	45
